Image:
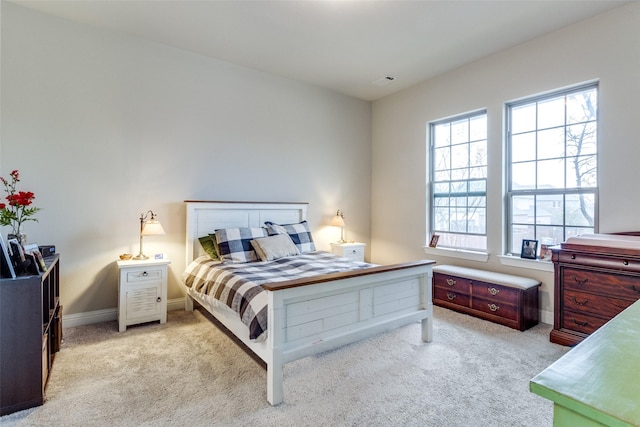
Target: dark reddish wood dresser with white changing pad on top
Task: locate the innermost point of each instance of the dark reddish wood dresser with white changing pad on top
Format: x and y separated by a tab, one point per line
596	277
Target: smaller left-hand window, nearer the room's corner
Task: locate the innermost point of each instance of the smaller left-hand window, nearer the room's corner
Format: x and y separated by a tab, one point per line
459	181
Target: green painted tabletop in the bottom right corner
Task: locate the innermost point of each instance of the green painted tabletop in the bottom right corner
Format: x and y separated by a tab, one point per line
598	381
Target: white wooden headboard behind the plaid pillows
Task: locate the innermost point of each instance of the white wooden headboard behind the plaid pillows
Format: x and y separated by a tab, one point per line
206	217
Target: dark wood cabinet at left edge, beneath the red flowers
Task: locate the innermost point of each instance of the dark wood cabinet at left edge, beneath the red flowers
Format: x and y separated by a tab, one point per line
30	335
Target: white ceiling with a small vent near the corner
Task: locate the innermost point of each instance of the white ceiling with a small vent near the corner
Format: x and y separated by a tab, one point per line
343	45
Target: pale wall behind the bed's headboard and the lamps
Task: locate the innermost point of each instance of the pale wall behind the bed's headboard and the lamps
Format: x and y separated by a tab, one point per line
103	127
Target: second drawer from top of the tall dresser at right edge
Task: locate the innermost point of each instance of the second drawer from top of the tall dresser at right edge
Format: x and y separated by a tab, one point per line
617	285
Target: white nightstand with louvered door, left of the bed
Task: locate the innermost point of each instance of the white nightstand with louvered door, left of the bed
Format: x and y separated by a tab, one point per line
142	290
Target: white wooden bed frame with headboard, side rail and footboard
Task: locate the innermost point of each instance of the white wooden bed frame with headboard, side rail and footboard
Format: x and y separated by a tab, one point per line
311	316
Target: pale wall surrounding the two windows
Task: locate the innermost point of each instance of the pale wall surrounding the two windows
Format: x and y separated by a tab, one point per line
606	47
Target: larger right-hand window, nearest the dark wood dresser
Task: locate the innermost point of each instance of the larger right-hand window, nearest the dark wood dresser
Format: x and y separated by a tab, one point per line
552	166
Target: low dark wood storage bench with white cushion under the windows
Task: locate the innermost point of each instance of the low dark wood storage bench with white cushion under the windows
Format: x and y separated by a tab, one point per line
501	298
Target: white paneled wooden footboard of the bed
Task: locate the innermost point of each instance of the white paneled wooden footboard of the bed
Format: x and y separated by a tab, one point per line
311	319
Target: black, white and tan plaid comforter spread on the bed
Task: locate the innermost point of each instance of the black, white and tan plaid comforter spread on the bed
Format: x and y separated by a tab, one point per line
238	285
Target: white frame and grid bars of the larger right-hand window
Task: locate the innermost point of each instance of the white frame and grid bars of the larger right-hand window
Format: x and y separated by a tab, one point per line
560	192
